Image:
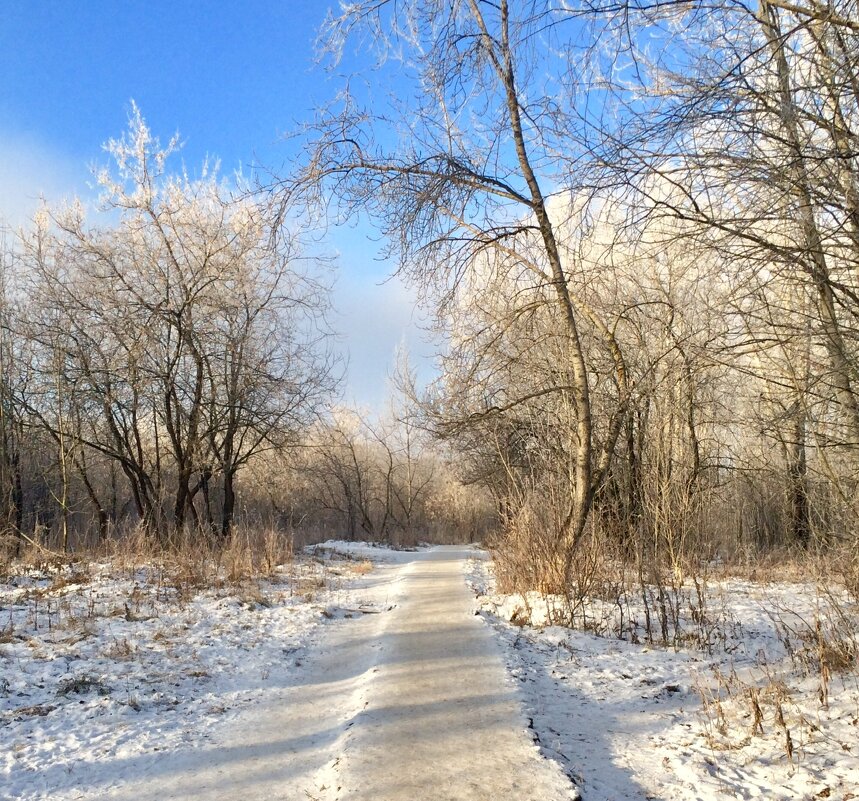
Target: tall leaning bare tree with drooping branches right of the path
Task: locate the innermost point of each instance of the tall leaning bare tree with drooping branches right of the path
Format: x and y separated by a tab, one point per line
478	157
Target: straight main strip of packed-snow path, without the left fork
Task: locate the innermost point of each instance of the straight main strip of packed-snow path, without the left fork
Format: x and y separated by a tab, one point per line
439	718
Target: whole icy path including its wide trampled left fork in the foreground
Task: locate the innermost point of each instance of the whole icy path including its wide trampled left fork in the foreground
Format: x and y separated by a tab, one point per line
407	699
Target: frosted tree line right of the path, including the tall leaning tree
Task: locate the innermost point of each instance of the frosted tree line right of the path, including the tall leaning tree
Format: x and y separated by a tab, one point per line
637	224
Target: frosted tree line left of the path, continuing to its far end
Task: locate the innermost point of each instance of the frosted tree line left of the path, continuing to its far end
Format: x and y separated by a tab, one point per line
168	367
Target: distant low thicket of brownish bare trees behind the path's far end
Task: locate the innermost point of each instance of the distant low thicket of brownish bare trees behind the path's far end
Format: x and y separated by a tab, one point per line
369	476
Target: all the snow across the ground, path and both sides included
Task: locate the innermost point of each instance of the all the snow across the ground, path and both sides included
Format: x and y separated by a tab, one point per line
337	675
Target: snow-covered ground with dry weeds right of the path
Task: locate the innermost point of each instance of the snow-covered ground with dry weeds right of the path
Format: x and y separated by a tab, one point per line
771	713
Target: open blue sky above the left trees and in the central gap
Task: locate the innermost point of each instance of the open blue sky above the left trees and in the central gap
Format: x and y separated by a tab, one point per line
231	78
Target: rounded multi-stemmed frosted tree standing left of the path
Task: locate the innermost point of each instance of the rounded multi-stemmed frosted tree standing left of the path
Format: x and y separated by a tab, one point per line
184	329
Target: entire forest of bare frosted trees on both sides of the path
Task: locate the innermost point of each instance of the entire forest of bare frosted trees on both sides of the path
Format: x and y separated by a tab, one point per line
635	225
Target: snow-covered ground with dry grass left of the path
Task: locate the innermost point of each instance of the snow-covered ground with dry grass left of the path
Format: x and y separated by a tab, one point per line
100	666
